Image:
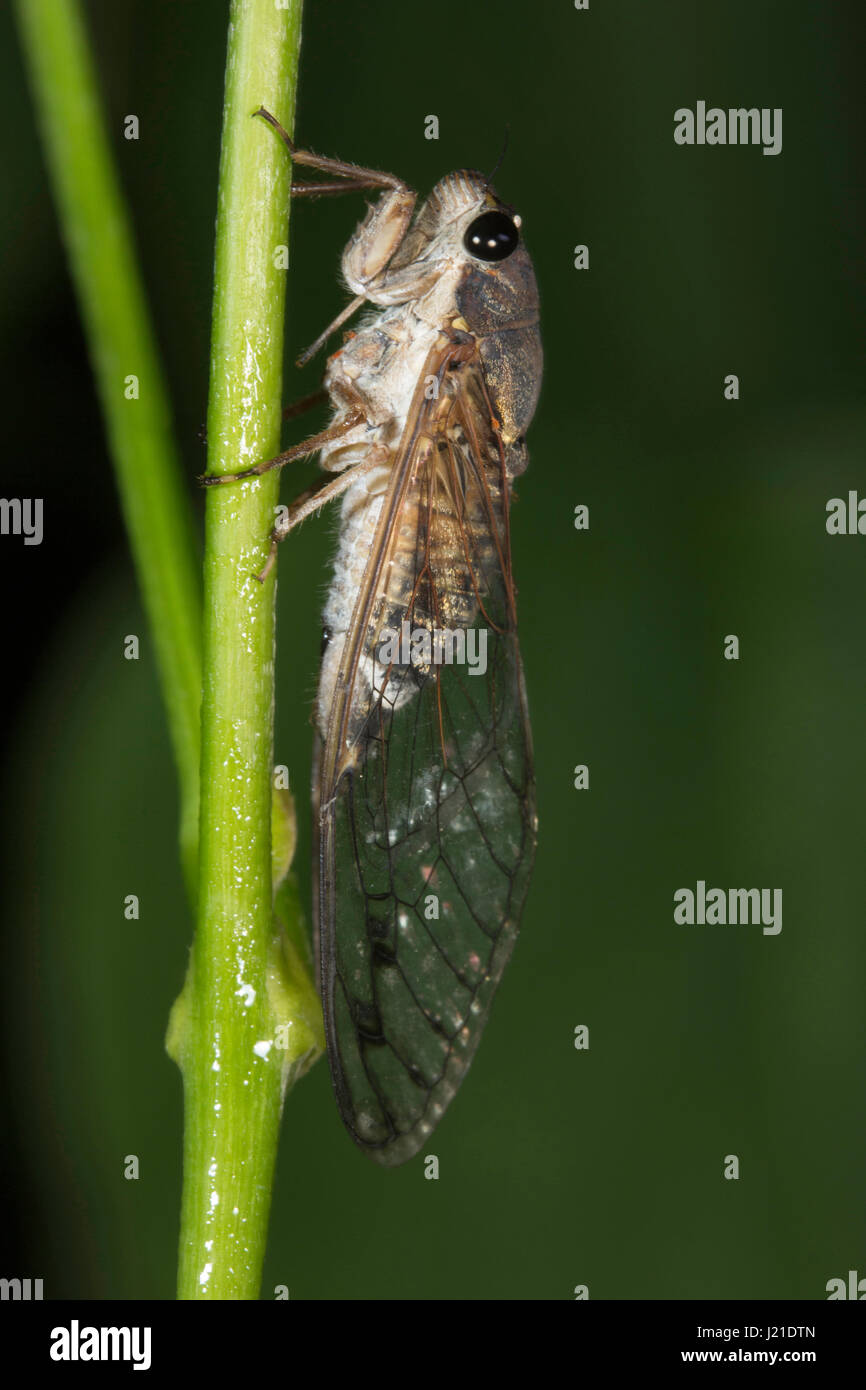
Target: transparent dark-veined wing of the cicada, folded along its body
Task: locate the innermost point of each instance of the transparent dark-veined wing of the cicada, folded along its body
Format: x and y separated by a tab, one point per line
427	825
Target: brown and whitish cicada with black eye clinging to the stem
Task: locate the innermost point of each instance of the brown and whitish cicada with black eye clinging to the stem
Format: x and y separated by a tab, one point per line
423	796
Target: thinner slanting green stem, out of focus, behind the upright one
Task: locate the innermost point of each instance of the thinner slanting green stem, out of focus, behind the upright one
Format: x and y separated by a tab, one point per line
122	344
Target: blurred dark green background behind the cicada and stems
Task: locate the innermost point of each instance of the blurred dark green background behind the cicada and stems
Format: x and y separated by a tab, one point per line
707	518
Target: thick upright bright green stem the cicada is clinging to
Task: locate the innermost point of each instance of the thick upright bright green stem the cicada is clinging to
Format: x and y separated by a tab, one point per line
234	1075
